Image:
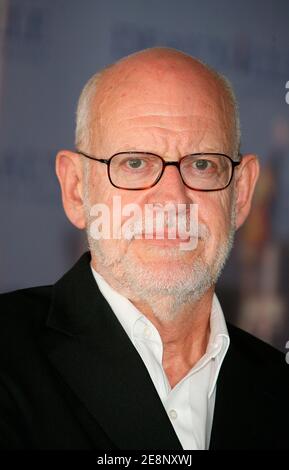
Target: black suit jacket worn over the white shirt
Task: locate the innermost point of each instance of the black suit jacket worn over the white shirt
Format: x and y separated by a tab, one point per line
71	379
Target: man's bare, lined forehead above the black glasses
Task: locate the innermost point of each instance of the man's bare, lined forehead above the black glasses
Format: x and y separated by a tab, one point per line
154	102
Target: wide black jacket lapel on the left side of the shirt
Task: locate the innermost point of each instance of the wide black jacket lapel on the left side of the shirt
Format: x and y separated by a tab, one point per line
90	350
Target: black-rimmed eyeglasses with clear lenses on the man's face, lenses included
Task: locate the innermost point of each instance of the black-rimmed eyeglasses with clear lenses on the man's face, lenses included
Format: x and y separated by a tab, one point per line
142	170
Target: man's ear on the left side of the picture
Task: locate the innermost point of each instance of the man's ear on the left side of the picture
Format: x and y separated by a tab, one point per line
70	175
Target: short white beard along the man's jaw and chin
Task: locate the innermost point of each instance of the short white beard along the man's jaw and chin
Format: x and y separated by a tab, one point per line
174	285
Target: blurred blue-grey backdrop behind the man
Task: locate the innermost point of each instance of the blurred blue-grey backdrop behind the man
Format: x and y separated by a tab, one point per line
49	48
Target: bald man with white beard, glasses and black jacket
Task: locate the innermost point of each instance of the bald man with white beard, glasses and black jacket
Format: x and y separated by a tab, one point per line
130	349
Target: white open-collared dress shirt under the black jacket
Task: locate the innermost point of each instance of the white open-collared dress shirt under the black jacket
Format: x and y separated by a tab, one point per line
190	404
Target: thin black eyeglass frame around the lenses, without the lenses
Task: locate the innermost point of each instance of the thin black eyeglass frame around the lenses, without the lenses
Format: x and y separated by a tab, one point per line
164	165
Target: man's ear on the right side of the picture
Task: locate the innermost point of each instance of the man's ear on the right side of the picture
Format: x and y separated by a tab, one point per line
246	178
